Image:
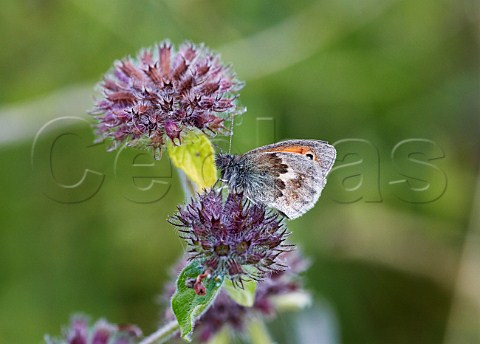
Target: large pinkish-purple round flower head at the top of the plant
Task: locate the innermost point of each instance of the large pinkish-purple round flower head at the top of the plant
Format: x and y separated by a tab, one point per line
163	92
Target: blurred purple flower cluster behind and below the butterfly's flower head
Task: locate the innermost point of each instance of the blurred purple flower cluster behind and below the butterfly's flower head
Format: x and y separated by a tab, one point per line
226	312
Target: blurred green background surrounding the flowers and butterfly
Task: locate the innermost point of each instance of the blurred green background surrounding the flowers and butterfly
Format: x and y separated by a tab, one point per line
389	266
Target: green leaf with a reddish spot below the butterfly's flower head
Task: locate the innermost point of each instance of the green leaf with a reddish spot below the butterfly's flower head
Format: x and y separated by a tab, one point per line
186	304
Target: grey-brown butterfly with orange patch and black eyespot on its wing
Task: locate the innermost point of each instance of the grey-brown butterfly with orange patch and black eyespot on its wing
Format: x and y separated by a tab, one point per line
288	176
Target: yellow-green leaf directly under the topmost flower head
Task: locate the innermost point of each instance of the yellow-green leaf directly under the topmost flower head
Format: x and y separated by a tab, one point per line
195	157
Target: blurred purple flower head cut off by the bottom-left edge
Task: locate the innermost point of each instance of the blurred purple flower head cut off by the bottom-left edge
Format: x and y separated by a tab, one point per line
102	332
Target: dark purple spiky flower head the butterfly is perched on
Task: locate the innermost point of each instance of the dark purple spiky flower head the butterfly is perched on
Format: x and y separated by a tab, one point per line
231	236
